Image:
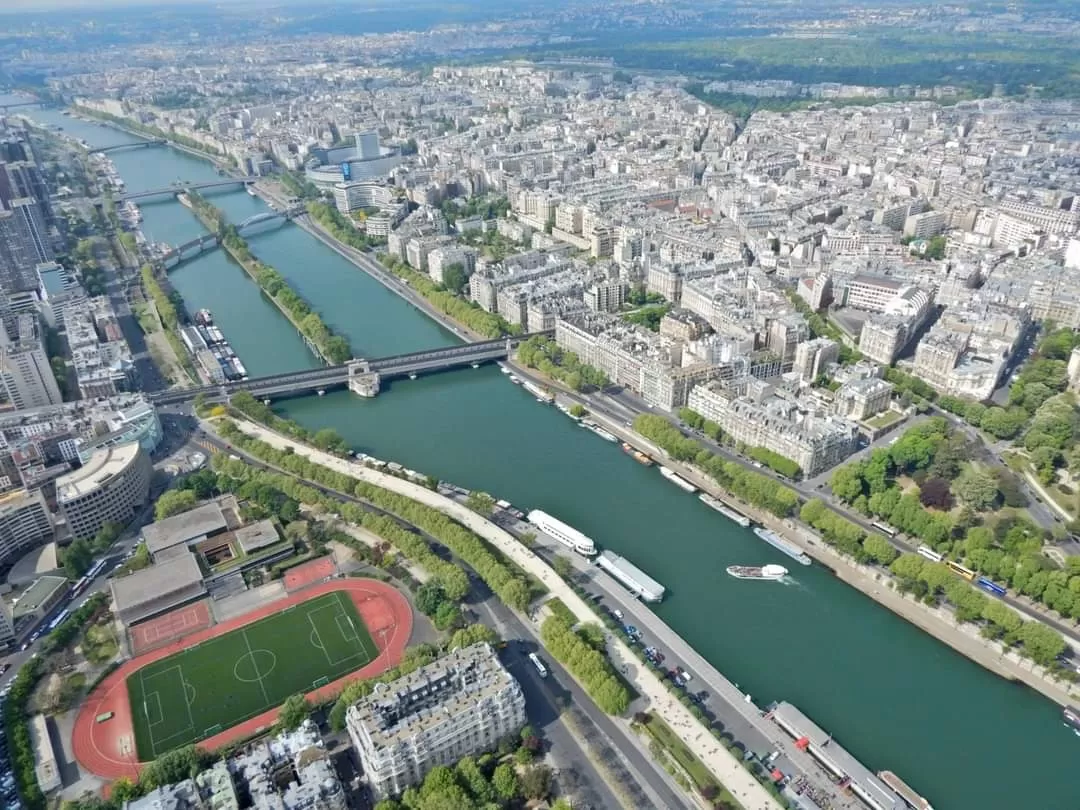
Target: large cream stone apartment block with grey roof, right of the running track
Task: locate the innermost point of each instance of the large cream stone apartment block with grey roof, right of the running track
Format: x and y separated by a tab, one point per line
458	706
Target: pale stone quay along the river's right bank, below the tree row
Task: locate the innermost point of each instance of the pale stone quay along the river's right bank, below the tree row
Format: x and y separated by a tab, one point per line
875	584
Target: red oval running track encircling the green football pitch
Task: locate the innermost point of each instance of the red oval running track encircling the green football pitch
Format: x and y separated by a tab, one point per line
109	749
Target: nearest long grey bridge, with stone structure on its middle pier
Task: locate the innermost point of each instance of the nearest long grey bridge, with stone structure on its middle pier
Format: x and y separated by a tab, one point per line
304	383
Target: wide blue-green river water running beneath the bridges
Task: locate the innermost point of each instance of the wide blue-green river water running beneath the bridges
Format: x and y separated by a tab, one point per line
894	696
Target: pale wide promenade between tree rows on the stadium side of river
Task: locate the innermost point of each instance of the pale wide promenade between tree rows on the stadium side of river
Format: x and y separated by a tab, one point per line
722	763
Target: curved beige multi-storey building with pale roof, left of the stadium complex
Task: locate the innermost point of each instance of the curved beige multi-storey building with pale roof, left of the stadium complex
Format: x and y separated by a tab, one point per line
109	489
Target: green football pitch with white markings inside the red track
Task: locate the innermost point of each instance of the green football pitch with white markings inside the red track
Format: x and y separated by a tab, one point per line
225	681
